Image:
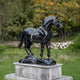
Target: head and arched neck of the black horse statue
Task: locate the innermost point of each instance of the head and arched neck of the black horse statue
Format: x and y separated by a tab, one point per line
49	21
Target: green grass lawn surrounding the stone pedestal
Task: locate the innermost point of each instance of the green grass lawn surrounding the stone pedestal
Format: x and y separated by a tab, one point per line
69	59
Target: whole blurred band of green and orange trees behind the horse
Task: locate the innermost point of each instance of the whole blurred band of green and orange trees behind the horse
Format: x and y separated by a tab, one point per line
16	15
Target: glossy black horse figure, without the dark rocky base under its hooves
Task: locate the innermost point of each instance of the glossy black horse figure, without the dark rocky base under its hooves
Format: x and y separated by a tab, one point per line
41	35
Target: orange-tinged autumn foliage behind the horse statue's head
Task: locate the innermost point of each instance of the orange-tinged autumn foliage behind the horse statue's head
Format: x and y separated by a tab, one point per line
67	11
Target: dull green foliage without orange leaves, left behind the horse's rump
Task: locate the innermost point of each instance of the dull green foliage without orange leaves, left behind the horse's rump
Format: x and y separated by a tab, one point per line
16	17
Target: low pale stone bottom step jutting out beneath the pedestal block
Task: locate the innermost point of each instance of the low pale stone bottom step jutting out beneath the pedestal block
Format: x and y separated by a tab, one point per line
13	77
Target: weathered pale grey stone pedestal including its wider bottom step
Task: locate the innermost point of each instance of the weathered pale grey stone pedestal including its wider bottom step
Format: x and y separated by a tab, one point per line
37	72
